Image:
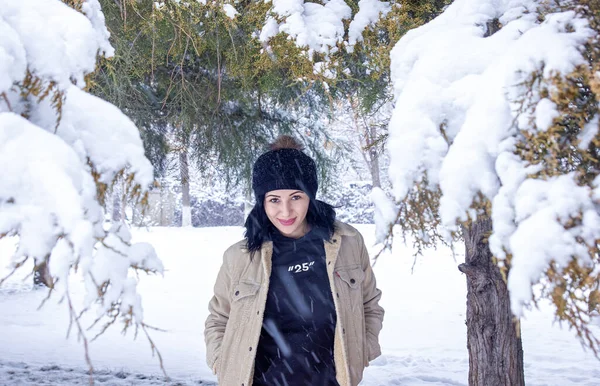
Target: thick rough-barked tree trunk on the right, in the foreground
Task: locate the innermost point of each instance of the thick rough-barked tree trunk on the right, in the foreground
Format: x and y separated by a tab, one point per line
493	334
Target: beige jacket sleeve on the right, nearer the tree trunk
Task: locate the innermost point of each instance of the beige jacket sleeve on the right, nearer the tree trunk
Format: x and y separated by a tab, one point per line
373	311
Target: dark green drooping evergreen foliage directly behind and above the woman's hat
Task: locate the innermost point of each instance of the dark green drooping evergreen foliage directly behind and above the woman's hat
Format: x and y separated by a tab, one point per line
198	82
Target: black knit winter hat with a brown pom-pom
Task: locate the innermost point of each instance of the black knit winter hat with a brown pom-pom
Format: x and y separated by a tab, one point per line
285	166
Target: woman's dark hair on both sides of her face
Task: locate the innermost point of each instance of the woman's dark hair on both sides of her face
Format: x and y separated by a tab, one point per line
320	217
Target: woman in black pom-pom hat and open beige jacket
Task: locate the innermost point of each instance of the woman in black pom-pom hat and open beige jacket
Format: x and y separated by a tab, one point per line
295	302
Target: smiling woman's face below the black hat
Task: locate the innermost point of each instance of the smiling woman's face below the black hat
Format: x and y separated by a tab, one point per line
287	210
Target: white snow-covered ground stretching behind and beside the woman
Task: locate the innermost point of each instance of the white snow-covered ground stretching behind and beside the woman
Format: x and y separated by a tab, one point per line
423	339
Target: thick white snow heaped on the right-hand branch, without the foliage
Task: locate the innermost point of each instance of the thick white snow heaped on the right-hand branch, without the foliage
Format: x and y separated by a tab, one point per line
460	82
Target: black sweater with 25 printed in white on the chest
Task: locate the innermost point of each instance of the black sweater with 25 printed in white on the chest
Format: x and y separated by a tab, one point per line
296	341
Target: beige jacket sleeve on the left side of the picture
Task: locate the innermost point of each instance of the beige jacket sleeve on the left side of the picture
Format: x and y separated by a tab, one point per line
219	307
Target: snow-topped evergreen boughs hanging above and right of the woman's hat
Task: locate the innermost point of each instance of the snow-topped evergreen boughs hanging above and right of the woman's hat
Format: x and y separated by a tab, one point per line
352	63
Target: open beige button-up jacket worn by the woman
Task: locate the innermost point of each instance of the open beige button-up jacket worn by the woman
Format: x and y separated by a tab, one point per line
236	310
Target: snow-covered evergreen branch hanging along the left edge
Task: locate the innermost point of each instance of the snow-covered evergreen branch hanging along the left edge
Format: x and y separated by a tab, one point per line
60	150
